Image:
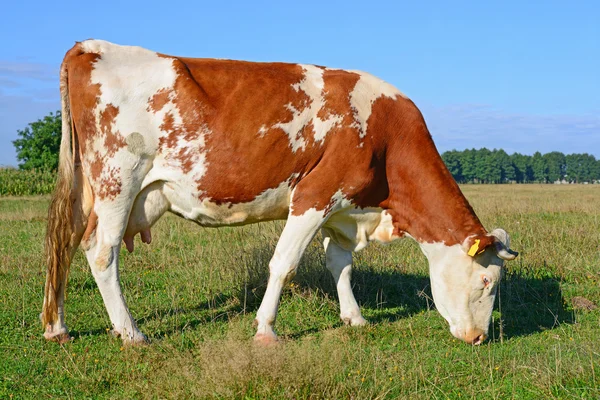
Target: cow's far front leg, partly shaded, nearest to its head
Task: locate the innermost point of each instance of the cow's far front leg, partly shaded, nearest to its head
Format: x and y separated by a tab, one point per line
339	263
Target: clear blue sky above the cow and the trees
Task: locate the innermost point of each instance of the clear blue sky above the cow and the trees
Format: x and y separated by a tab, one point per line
523	76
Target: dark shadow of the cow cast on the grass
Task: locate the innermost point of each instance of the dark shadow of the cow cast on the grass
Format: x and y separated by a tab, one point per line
526	305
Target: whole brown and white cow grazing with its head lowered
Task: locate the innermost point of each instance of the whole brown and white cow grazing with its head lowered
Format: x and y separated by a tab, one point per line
225	142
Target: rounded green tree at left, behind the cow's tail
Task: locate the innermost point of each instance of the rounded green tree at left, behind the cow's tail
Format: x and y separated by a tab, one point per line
38	145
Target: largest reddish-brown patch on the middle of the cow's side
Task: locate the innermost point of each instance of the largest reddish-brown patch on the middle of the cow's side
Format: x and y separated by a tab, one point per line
246	153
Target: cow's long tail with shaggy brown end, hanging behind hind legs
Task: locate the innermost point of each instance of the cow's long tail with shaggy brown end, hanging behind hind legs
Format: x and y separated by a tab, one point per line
60	229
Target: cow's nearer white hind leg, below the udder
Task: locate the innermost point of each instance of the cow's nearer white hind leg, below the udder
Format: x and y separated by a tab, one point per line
102	251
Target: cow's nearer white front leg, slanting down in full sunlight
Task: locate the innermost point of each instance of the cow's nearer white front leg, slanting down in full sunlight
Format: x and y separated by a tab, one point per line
297	234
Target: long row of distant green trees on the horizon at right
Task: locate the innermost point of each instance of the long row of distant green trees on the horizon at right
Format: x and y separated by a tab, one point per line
496	166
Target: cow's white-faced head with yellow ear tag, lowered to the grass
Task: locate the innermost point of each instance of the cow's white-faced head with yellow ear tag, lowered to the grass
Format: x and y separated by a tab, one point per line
464	281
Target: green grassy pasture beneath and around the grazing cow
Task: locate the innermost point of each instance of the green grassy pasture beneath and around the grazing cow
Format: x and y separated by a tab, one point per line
194	292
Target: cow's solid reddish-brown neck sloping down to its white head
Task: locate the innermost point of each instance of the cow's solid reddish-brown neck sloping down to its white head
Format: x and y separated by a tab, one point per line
424	200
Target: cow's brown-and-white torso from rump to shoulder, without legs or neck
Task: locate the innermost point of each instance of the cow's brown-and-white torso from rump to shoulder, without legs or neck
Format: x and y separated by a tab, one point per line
223	133
